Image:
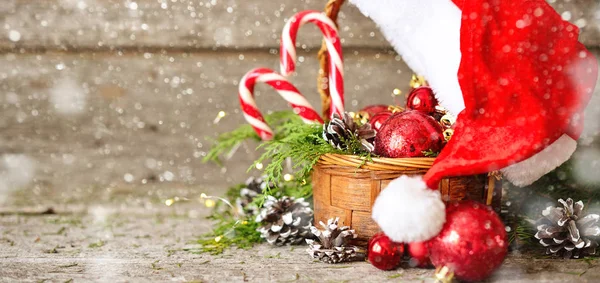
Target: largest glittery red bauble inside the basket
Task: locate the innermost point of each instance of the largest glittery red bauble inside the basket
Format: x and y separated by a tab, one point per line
408	134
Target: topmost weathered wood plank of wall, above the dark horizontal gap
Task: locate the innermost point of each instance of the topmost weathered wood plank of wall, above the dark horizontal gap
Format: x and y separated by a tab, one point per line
150	24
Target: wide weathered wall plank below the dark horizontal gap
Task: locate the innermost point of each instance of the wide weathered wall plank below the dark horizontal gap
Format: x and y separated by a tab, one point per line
145	116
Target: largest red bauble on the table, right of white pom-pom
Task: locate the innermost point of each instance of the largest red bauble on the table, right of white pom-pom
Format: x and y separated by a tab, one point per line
472	243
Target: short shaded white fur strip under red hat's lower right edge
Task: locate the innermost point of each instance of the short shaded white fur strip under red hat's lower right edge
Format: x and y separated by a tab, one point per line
530	170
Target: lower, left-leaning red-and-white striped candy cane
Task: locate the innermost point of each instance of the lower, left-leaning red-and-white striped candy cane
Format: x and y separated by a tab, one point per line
251	113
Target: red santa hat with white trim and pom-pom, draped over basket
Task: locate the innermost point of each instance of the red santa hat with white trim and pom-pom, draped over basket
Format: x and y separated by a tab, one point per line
515	75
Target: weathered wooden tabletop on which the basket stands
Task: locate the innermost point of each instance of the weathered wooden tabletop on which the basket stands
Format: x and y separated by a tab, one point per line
143	240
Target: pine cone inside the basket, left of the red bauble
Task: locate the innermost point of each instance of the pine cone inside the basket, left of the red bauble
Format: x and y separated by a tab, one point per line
341	130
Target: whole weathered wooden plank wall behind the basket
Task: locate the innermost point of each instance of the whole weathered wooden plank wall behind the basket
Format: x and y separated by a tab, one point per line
150	76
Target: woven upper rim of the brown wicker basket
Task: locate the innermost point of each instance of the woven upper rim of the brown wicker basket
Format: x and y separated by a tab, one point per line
376	163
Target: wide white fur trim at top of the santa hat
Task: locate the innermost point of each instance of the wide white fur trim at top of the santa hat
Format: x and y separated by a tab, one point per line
426	33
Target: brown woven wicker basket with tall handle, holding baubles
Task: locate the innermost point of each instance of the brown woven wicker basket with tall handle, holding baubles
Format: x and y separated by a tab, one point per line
346	186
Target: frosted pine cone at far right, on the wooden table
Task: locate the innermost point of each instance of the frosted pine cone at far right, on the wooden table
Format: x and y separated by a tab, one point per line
566	232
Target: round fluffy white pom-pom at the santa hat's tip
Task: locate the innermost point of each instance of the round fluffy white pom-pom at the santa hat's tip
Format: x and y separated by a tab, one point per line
407	211
